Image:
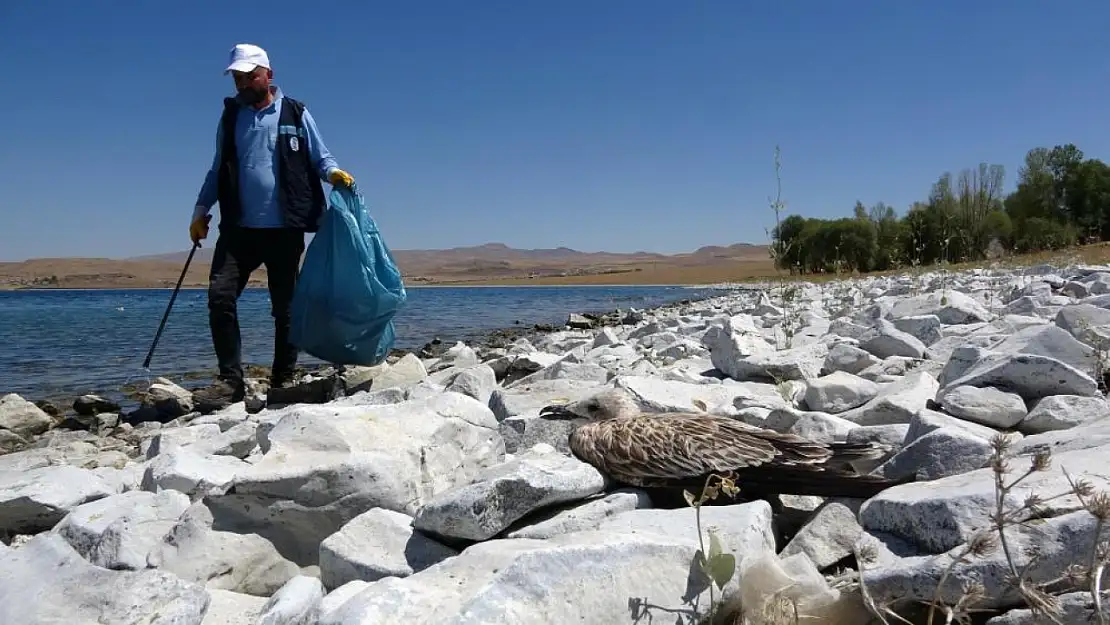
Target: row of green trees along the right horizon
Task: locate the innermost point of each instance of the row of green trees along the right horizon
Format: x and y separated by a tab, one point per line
1062	198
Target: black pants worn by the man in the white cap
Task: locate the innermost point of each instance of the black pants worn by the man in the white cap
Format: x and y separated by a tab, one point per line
238	254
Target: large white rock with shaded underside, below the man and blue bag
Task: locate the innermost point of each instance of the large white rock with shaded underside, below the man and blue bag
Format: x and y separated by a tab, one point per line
328	465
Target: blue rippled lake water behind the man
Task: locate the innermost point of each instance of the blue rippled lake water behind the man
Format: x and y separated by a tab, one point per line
67	344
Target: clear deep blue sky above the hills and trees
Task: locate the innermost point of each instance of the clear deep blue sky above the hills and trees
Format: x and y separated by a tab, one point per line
615	125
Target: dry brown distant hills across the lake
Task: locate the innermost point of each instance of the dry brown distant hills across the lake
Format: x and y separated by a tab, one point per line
490	263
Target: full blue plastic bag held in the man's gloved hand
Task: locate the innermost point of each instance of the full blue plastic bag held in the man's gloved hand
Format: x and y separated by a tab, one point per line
350	288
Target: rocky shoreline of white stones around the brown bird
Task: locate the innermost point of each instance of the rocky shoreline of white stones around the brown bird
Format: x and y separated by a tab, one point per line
430	490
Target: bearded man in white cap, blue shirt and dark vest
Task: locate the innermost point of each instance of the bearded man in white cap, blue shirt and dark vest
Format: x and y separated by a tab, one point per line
267	175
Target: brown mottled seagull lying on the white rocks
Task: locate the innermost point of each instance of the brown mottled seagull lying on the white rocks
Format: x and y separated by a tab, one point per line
681	450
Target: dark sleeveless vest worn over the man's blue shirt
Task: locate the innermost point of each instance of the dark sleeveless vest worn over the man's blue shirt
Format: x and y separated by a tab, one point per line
300	191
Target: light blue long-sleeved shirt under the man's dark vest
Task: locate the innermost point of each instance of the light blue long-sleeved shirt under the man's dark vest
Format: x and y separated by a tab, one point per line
256	144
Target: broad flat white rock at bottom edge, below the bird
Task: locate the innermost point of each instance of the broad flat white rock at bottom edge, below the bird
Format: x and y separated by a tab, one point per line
517	581
